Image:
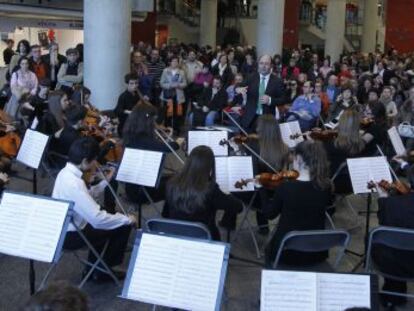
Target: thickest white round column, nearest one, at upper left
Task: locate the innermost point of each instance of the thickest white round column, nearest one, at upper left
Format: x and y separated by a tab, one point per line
107	32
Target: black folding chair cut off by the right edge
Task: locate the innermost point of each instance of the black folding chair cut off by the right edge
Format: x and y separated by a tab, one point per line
396	238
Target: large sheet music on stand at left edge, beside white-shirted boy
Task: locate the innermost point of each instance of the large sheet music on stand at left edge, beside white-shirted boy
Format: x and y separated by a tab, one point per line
31	227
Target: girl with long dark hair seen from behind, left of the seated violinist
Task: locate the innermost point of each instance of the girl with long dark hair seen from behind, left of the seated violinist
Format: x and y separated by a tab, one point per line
193	194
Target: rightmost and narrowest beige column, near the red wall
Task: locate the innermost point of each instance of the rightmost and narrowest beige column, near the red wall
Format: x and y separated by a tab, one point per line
370	26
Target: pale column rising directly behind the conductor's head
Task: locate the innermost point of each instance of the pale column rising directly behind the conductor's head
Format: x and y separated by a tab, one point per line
270	25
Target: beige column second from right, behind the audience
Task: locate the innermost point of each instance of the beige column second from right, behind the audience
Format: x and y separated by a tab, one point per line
335	29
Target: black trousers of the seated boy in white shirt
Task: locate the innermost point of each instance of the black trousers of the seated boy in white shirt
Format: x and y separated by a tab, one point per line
118	239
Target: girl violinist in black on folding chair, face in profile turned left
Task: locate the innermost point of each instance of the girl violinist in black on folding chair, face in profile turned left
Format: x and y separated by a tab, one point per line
301	203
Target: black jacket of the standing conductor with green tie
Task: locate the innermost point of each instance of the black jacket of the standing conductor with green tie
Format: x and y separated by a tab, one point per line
275	89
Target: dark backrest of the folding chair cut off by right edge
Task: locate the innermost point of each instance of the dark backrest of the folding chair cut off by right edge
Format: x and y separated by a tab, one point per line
397	238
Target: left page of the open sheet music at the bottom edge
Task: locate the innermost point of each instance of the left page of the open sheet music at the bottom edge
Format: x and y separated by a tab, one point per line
288	291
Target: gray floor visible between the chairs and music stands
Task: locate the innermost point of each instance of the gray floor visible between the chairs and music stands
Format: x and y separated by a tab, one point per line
242	284
